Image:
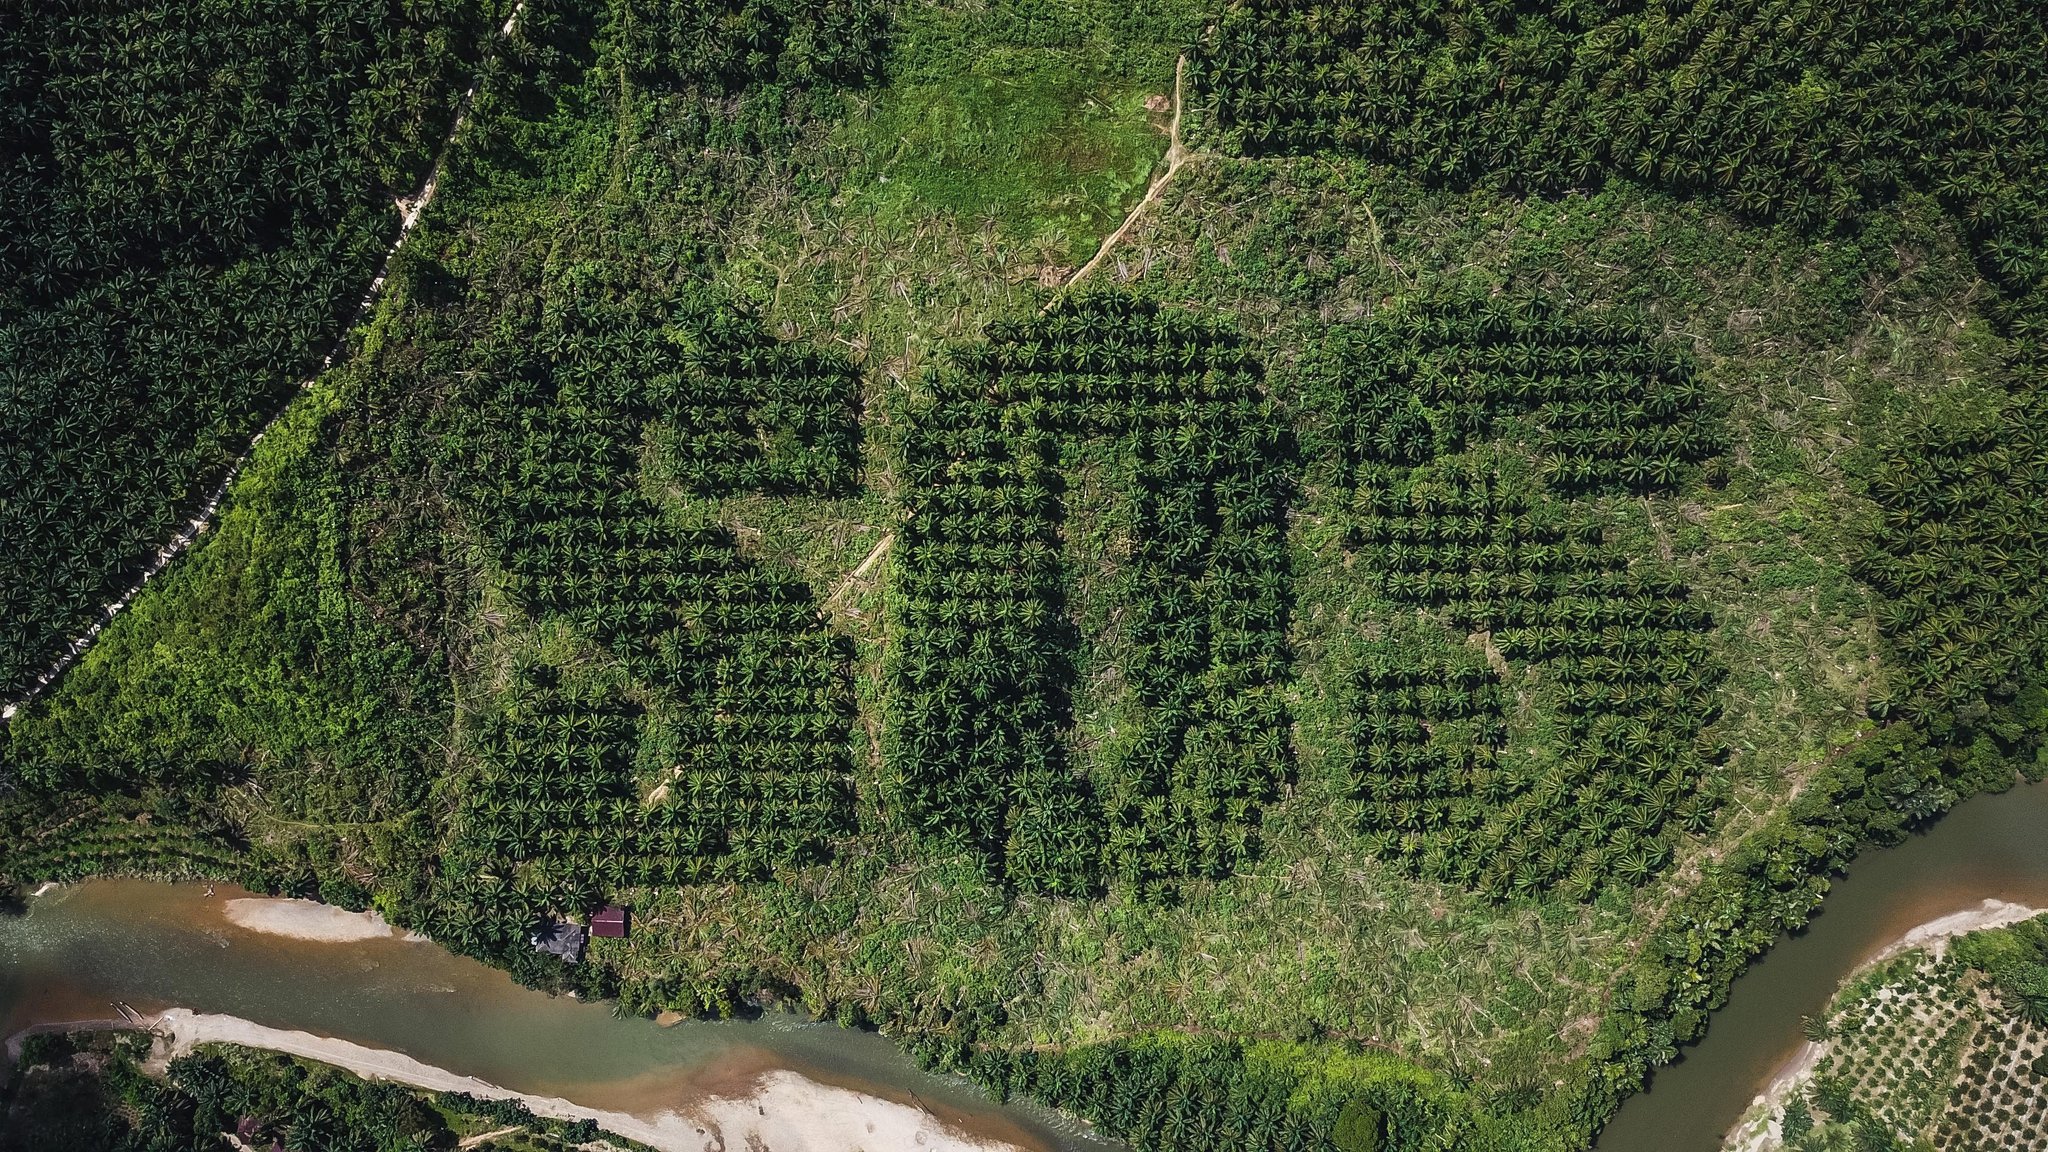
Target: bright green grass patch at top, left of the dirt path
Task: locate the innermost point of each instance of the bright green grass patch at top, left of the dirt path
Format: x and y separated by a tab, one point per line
1025	118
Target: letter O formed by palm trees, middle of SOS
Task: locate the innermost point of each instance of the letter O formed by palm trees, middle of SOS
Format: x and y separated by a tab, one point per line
980	706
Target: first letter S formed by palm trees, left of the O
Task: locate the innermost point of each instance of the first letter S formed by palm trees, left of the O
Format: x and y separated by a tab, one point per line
738	710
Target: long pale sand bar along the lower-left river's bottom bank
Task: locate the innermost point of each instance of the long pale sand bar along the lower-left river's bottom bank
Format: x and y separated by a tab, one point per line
781	1114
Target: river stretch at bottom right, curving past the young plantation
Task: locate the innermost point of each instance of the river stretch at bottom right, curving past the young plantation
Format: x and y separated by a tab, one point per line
1986	848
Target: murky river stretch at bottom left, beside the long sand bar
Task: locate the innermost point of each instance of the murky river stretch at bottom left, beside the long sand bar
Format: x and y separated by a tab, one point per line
83	948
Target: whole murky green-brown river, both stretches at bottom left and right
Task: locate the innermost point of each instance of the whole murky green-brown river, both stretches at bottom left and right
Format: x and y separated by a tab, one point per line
148	946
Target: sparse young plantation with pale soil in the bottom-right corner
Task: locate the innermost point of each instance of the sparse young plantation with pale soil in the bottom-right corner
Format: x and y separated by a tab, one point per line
1930	1051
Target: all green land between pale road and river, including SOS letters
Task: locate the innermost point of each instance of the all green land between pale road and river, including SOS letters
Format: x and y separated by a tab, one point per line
1379	659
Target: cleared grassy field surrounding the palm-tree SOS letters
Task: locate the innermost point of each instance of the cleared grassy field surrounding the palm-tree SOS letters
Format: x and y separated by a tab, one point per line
306	688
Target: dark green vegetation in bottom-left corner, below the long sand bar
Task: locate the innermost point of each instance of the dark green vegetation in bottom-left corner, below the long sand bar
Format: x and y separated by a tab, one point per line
91	1094
